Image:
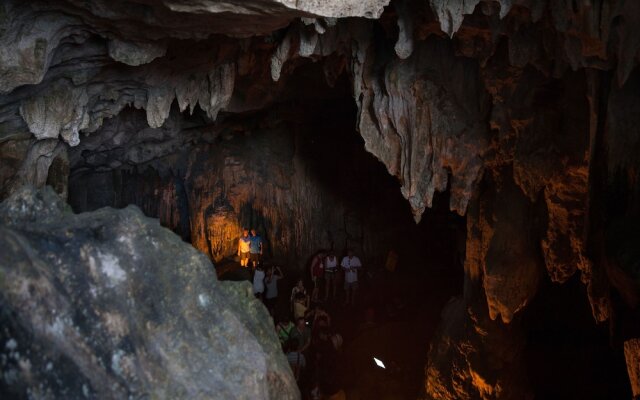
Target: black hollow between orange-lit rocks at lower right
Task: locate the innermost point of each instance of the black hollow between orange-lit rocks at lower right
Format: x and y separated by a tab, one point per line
568	355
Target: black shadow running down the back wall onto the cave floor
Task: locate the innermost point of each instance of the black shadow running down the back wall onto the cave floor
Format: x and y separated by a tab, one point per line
397	311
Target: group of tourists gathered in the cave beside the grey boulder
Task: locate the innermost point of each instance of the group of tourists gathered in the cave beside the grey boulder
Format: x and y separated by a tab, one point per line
305	331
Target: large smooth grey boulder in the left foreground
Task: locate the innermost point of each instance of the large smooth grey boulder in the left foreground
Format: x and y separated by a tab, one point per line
111	305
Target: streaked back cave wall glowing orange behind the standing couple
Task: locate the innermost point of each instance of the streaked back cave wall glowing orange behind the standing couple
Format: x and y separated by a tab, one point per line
278	171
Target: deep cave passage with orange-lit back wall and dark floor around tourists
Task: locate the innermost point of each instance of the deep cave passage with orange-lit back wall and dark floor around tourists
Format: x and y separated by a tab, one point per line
299	164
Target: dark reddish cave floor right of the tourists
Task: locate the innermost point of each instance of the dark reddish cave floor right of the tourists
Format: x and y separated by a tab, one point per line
406	306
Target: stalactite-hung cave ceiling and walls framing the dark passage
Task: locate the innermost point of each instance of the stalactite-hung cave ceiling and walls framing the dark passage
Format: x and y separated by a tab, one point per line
525	111
